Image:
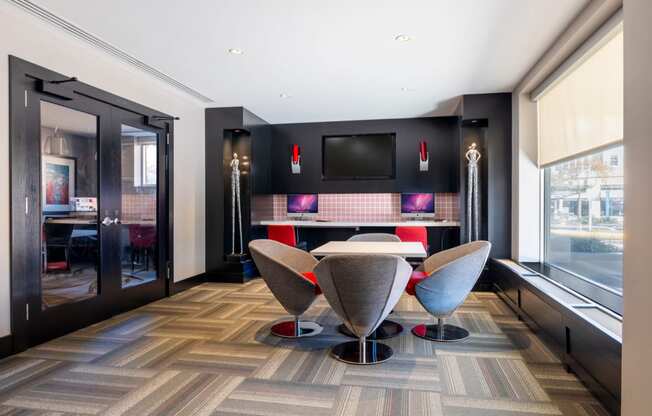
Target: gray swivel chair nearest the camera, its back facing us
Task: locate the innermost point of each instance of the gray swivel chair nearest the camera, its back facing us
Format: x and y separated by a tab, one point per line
362	290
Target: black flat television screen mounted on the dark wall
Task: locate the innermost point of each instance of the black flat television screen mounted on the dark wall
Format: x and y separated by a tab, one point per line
363	156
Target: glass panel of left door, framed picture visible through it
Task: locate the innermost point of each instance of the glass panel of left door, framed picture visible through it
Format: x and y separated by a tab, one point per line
69	183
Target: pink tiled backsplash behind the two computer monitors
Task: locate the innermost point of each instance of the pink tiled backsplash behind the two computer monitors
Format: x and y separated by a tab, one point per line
354	207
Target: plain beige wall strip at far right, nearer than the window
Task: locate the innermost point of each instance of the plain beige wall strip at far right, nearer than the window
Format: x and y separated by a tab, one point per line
637	296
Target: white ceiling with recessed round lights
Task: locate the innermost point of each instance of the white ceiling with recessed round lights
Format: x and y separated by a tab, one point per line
337	59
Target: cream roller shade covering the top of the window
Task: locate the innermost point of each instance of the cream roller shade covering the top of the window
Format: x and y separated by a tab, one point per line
583	111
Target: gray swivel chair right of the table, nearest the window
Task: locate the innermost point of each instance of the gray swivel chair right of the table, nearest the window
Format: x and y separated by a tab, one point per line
442	283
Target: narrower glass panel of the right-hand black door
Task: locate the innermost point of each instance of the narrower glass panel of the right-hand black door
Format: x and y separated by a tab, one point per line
139	182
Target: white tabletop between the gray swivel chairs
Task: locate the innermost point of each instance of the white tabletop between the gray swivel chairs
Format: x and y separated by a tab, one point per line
403	249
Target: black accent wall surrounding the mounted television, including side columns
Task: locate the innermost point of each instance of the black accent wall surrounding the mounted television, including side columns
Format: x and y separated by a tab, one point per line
485	118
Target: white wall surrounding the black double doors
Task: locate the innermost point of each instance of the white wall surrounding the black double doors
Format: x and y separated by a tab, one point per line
30	38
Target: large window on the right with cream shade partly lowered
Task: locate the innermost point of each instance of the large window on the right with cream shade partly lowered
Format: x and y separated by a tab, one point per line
580	118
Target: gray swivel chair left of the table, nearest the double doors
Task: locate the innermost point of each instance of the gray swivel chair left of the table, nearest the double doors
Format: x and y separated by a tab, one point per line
287	271
